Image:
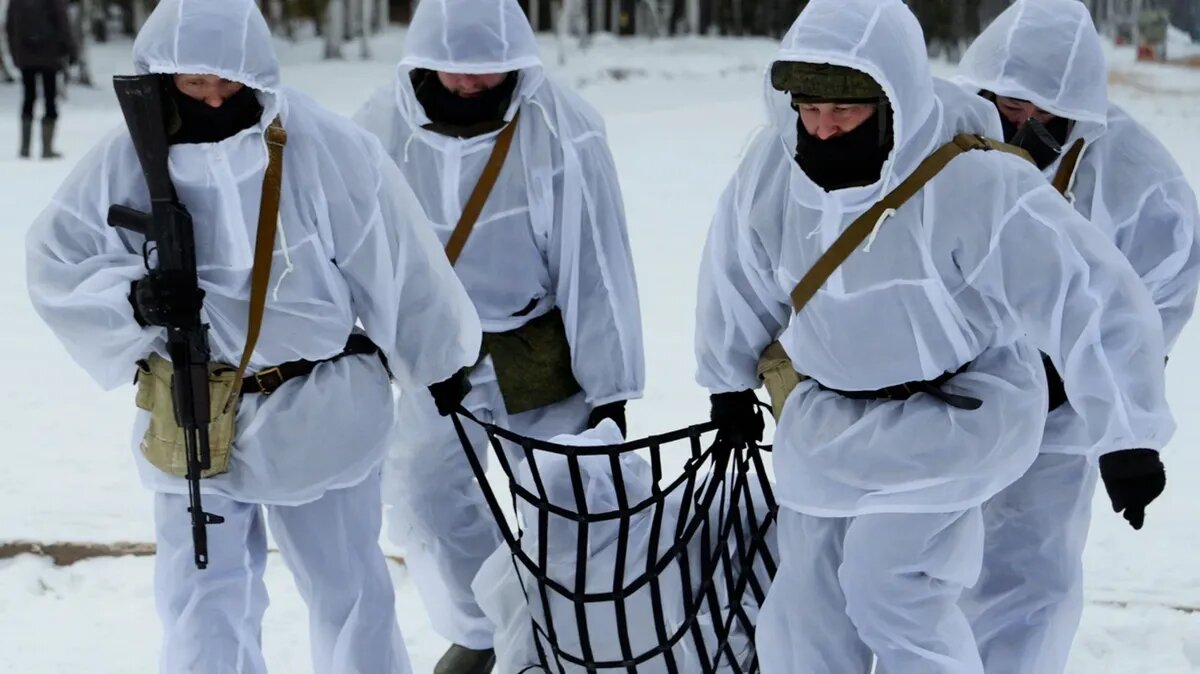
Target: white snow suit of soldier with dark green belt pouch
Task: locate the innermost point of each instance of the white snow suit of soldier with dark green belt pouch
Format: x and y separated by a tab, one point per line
553	234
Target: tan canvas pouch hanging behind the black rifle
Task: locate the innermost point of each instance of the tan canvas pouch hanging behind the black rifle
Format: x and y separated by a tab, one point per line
164	442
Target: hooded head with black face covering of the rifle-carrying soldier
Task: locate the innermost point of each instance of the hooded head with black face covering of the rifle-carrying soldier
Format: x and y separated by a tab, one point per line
221	39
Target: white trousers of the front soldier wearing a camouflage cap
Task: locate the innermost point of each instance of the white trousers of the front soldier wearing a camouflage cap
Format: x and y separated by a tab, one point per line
887	585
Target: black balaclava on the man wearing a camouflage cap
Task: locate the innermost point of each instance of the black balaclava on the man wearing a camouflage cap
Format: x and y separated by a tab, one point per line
851	160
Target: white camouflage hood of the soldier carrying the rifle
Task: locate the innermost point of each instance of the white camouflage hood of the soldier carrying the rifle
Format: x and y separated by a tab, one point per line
223	38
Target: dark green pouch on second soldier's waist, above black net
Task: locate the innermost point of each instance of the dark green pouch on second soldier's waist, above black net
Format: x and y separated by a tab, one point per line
533	364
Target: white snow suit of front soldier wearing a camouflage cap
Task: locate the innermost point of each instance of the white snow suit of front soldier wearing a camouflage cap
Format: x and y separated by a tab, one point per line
881	526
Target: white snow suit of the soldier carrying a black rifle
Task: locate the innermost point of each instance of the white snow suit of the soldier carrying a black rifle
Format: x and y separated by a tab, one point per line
353	248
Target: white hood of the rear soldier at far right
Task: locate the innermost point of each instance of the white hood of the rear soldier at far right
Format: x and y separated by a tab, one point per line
1046	52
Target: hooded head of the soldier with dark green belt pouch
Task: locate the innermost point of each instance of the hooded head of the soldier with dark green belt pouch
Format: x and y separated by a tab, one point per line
471	38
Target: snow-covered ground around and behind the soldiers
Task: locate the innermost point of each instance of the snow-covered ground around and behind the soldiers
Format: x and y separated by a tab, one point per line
680	115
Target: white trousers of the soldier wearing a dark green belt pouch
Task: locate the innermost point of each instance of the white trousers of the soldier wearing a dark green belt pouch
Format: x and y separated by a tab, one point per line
439	511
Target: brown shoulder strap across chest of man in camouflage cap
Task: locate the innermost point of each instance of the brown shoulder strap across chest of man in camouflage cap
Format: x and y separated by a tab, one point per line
862	228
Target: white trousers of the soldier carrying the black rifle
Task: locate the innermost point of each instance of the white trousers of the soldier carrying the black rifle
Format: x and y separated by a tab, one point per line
213	618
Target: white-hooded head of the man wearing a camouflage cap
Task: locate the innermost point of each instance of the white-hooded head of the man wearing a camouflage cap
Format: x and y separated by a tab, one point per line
884	45
